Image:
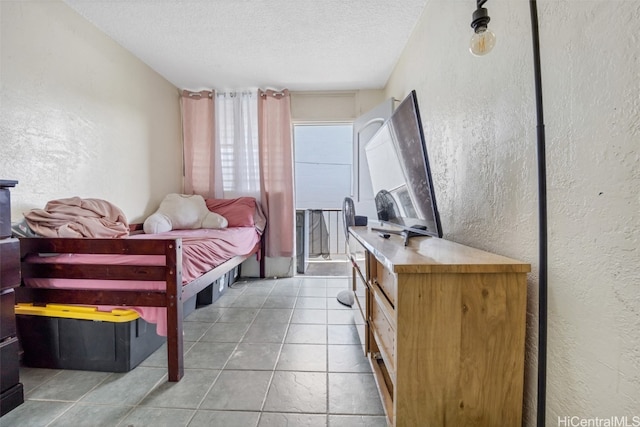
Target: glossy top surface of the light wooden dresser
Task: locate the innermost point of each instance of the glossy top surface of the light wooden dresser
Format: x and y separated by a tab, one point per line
433	255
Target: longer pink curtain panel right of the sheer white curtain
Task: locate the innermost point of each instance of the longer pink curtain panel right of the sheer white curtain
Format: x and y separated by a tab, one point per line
276	171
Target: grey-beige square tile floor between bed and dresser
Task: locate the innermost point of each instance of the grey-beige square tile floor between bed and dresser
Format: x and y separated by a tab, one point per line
277	352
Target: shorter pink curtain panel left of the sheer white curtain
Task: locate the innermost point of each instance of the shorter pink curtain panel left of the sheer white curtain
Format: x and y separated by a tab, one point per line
198	134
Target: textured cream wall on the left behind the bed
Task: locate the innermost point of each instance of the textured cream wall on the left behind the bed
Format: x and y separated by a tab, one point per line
81	116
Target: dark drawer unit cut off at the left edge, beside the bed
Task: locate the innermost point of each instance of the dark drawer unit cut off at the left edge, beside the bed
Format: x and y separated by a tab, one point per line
11	391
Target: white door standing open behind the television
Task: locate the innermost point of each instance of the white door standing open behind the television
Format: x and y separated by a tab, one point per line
364	127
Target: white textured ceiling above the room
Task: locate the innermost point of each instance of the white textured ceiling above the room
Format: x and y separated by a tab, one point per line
233	44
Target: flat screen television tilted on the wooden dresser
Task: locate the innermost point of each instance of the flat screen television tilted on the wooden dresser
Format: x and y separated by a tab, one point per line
401	175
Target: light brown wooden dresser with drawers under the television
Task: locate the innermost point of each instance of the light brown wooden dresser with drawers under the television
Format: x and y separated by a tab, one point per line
443	326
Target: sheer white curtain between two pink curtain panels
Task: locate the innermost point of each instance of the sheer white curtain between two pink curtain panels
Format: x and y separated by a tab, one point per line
237	143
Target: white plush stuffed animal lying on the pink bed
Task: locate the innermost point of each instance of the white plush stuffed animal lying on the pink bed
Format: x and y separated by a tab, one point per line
182	212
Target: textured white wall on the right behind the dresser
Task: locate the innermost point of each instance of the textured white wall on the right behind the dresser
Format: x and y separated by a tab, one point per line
479	120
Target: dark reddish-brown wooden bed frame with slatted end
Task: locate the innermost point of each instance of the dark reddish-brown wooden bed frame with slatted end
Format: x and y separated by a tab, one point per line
171	297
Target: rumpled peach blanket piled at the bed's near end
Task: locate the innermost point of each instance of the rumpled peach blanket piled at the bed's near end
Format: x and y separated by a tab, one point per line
77	217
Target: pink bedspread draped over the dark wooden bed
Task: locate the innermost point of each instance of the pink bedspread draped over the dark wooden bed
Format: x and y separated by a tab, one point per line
202	250
